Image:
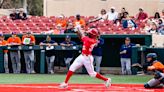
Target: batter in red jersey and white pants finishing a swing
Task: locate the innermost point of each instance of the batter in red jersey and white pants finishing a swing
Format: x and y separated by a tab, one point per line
86	58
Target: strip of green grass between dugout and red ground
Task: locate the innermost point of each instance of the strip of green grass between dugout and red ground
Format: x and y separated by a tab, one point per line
57	78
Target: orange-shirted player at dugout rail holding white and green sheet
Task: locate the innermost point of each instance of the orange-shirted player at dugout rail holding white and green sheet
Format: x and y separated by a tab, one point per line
28	39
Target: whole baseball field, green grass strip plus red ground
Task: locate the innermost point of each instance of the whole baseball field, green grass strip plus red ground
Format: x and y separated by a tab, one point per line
78	83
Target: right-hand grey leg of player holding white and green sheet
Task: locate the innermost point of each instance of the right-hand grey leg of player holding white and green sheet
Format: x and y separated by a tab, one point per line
32	61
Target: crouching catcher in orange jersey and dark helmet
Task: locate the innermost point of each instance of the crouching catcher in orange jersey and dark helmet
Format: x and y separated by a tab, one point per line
158	68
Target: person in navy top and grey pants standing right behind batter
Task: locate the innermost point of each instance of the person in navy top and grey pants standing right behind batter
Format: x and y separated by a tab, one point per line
97	54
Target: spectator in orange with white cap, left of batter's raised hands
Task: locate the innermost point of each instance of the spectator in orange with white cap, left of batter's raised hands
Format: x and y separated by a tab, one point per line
61	21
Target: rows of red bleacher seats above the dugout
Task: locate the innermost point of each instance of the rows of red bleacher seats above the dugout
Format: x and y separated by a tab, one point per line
39	24
